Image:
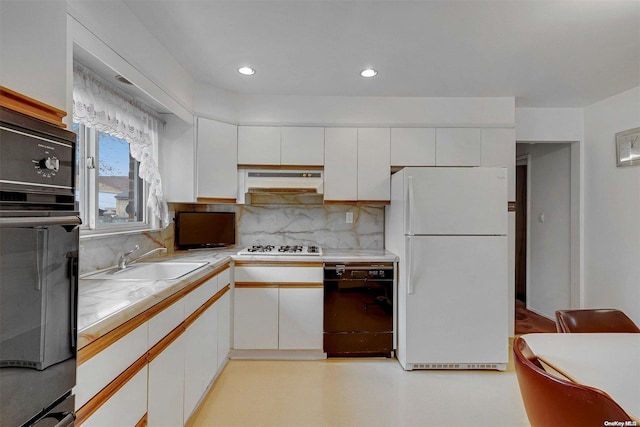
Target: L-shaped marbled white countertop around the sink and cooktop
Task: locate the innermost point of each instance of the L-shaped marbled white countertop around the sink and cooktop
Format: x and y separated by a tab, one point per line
103	305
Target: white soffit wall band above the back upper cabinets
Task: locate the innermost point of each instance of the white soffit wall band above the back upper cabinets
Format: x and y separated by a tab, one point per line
354	111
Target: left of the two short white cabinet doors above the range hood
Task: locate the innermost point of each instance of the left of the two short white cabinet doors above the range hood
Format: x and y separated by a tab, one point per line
258	145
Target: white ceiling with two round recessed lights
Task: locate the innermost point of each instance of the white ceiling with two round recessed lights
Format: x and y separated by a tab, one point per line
562	53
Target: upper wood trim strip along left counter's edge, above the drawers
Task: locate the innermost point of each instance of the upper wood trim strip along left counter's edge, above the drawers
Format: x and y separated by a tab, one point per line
101	343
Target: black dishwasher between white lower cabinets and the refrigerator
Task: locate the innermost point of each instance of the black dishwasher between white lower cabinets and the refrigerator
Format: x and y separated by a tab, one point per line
358	309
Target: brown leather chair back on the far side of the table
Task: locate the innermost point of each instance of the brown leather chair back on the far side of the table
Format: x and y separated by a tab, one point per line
594	320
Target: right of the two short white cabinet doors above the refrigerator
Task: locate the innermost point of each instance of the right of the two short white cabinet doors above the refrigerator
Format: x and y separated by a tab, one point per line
458	147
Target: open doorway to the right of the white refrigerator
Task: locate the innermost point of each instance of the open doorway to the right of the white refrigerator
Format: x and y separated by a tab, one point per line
547	234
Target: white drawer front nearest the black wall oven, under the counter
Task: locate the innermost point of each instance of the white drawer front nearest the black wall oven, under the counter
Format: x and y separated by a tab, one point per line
94	374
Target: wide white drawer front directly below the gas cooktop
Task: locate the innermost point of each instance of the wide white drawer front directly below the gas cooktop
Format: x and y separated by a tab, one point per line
250	273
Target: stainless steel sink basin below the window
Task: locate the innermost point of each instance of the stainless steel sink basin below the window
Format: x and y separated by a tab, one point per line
149	271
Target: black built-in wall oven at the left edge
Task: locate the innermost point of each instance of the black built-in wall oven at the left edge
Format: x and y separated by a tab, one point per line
39	241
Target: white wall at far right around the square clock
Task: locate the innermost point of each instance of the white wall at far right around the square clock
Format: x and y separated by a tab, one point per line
612	206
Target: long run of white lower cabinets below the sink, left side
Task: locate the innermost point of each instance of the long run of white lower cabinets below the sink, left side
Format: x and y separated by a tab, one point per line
185	344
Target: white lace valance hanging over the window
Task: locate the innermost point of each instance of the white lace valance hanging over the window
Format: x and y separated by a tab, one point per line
100	105
